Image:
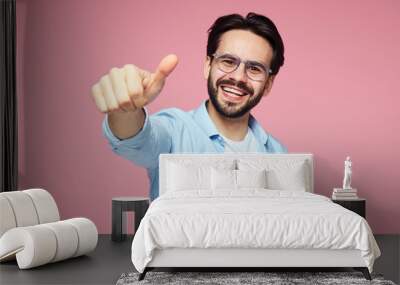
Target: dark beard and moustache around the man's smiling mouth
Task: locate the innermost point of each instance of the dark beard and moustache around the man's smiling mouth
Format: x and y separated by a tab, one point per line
229	109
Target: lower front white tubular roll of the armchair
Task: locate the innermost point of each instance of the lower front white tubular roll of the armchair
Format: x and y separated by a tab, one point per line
41	244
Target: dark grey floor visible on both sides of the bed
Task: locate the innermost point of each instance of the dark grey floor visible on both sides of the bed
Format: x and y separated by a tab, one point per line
111	259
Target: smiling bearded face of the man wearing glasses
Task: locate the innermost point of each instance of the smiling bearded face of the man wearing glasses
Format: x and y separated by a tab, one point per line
247	46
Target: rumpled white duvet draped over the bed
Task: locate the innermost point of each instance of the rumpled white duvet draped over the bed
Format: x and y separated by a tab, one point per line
251	218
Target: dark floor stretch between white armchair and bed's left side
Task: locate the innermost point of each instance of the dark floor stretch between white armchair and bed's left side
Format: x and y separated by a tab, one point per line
102	266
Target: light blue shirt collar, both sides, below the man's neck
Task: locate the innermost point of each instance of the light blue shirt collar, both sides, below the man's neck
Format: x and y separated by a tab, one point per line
203	119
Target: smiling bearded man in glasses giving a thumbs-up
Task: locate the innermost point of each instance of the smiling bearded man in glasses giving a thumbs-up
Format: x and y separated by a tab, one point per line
243	57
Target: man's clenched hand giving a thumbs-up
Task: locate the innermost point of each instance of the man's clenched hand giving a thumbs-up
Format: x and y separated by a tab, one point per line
128	88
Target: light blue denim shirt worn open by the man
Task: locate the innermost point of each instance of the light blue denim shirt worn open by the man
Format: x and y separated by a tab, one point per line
176	131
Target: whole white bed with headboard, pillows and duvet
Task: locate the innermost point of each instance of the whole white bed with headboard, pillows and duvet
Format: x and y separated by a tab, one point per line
247	210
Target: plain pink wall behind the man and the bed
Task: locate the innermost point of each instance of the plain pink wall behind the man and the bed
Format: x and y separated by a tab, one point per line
336	95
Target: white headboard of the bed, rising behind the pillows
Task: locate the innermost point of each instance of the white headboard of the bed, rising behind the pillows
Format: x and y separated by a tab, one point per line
211	159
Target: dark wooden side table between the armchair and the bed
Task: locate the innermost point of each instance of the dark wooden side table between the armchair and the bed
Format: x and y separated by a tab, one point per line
121	205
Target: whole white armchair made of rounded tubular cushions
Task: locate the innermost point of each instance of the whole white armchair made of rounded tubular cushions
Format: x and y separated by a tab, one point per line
31	233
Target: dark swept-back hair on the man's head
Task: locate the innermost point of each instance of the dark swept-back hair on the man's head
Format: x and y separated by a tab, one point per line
258	24
